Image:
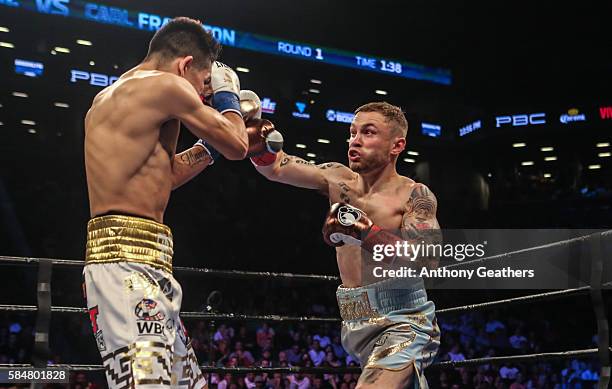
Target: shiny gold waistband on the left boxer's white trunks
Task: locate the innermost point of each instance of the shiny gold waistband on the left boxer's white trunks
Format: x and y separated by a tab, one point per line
116	238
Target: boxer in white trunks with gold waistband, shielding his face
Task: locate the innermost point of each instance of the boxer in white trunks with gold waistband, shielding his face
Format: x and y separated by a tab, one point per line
131	134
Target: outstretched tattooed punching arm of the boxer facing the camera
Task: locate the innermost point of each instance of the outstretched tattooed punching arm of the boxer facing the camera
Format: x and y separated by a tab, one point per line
295	171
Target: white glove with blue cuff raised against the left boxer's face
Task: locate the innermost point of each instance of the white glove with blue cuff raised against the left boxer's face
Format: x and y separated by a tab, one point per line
226	88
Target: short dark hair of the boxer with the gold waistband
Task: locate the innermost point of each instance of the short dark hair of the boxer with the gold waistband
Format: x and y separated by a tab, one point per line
184	36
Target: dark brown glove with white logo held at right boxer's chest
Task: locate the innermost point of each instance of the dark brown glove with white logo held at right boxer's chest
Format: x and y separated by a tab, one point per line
345	224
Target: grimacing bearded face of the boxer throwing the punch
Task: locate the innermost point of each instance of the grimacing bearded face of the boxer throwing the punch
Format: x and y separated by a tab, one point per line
372	142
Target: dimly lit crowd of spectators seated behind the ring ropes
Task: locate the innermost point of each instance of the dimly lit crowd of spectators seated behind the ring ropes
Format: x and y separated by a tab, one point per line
272	344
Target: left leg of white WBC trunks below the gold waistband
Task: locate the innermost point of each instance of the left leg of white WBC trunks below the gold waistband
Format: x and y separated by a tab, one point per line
131	314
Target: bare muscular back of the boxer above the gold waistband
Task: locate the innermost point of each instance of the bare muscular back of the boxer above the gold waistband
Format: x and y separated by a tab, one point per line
129	144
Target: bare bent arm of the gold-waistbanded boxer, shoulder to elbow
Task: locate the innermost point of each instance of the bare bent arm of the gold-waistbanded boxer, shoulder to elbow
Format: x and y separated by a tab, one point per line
226	132
